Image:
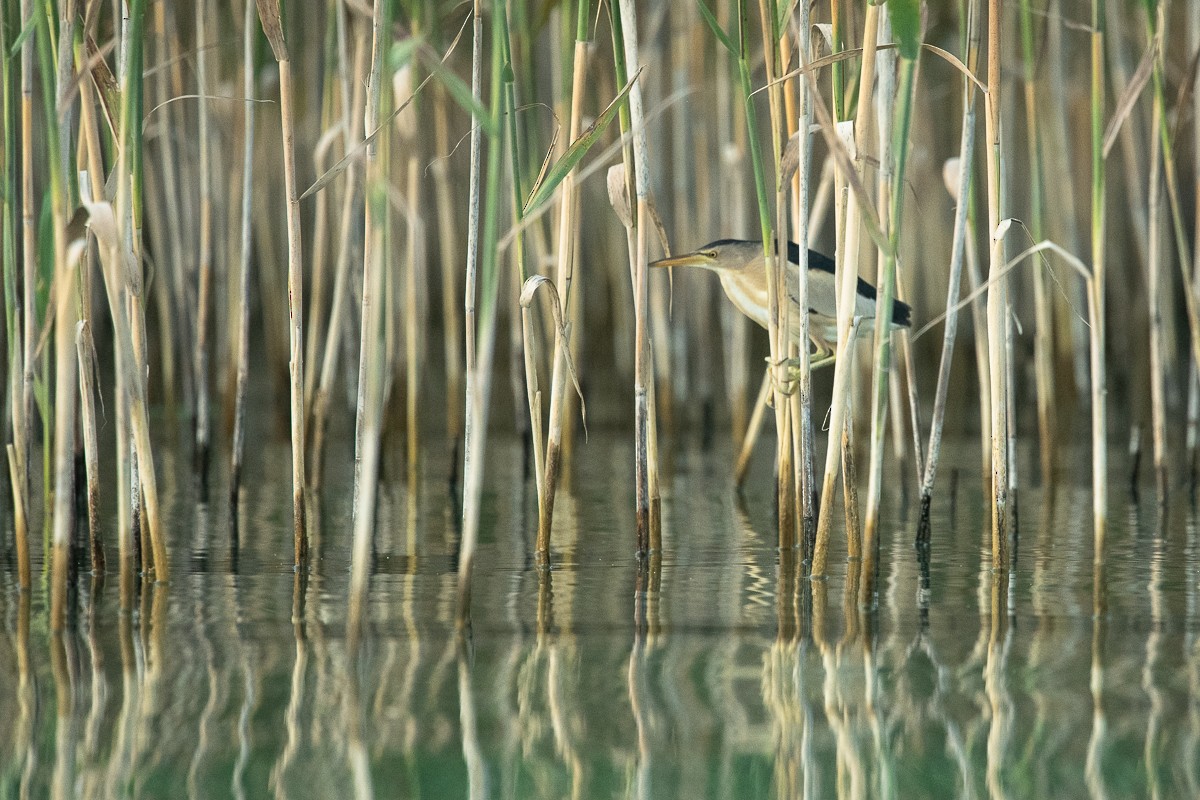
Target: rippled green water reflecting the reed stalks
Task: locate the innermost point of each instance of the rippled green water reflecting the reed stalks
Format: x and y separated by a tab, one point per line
715	673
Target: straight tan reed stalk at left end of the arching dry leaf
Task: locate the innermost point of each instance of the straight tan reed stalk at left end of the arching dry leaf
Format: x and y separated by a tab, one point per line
998	297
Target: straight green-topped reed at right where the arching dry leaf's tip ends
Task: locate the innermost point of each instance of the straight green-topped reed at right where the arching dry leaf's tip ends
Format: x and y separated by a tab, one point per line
1100	273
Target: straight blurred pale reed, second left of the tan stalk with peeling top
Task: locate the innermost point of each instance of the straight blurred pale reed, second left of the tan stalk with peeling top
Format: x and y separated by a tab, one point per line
205	246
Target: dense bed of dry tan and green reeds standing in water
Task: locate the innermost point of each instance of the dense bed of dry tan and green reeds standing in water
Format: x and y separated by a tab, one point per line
404	240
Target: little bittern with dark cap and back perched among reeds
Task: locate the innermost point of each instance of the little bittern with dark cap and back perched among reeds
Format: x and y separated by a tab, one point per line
743	273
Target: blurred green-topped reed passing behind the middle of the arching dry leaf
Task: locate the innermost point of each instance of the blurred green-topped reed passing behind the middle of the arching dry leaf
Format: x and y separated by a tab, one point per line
1043	339
